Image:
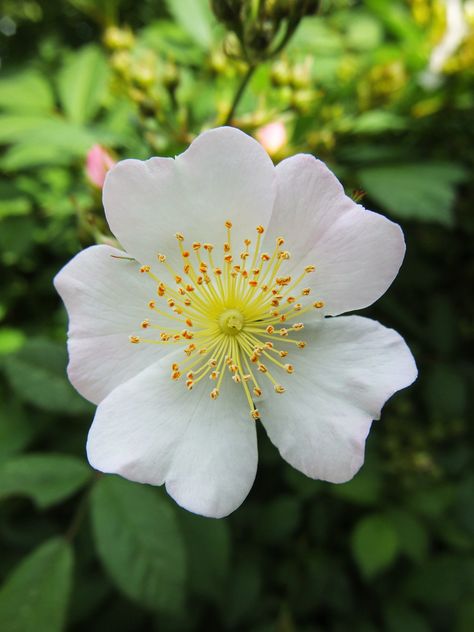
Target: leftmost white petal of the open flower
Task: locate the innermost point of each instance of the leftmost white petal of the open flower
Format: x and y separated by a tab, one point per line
106	299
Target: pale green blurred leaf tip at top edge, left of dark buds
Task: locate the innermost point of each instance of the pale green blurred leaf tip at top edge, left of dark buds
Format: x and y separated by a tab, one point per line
196	18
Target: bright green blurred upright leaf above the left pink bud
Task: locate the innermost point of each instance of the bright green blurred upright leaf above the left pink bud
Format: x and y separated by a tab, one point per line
82	83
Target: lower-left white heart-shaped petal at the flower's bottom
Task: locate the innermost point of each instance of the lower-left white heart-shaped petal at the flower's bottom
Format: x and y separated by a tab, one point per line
152	430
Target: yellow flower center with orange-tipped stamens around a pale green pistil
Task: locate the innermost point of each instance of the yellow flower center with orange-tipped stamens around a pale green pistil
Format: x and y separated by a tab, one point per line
229	317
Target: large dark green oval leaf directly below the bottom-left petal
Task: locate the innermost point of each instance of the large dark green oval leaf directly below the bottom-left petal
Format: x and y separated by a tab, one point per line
139	542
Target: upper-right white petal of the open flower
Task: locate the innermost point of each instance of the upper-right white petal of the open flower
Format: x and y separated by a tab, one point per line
357	253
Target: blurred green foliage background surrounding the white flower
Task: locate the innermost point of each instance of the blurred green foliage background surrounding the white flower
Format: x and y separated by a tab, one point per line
356	83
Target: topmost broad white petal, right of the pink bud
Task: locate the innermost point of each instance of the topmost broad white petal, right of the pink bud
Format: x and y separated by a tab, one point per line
223	175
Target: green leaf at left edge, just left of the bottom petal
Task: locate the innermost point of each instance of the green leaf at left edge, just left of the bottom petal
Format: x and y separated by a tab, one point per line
46	478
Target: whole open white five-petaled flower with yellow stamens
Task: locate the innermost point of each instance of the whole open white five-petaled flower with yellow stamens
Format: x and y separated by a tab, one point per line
200	330
